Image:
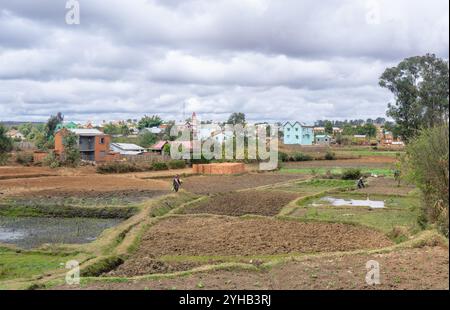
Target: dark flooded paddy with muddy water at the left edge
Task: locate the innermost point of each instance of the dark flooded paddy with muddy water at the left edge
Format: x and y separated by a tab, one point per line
30	232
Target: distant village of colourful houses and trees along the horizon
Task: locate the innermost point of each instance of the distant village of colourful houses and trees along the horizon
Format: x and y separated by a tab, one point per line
149	138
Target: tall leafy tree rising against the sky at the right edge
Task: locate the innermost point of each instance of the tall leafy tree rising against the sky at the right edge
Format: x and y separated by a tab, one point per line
420	85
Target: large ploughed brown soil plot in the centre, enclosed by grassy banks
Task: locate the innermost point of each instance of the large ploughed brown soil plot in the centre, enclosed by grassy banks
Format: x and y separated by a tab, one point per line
225	236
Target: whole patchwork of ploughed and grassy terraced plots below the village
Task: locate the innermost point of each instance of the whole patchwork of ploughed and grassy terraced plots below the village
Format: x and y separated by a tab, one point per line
244	231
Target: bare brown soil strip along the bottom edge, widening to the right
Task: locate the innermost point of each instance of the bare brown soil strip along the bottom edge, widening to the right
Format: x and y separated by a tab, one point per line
422	268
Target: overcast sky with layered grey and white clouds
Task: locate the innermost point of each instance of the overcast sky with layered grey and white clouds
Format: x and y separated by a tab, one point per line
273	60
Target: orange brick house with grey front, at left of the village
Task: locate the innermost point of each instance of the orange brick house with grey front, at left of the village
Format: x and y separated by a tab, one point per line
94	145
